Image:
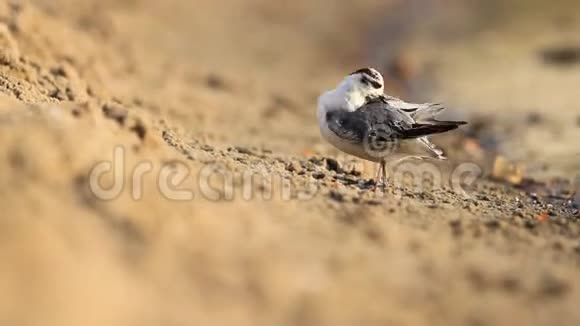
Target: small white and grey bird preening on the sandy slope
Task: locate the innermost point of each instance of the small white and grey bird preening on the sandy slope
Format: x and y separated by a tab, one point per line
359	119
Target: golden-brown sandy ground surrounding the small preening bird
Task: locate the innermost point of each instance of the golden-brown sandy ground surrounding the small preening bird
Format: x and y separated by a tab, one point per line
191	100
